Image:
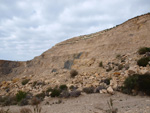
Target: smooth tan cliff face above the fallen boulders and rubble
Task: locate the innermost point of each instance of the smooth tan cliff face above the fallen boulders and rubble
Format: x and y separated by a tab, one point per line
84	53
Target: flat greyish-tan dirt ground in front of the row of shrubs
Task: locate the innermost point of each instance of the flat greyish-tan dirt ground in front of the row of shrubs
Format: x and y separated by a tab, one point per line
94	103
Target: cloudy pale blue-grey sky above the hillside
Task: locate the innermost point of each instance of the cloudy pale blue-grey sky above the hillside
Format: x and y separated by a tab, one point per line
30	27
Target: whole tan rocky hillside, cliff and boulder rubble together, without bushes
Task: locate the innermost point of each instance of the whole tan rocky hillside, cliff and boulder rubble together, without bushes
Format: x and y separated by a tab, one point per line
111	53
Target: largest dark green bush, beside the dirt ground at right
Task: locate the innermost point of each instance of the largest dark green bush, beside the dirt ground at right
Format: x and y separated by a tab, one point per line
138	83
